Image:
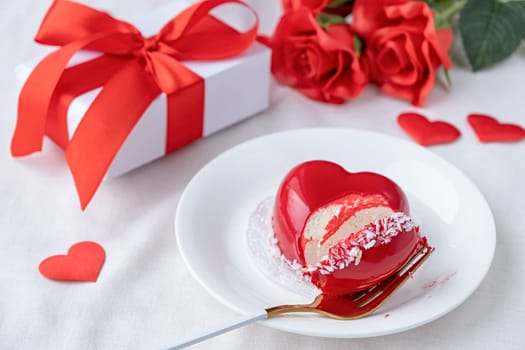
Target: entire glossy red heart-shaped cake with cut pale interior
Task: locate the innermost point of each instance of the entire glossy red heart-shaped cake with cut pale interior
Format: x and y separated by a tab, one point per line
348	230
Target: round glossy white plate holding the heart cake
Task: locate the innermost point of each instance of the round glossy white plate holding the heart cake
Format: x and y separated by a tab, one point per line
213	213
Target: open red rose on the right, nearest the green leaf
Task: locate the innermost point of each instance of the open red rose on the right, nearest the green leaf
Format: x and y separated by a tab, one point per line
403	47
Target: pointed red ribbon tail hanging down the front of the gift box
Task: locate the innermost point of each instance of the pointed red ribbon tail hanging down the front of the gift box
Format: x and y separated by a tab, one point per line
106	125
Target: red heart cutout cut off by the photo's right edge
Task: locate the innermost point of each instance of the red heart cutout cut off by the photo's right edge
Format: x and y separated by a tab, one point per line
489	129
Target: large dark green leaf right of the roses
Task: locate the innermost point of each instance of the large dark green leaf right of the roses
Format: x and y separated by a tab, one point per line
491	31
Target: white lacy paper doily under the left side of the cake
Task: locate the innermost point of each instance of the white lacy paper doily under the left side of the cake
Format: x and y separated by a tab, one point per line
268	257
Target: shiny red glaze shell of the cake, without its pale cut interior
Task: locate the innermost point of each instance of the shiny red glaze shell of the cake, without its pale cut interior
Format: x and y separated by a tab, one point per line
314	184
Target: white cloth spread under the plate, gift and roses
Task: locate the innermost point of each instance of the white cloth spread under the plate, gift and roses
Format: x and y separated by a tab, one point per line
146	298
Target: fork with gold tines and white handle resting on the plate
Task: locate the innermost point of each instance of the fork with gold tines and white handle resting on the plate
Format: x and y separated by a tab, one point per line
345	307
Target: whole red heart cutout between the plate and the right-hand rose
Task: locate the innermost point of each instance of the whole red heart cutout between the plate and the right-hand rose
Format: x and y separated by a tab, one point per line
425	132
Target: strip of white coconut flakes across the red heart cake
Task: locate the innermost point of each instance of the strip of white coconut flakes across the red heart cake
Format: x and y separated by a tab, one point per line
349	251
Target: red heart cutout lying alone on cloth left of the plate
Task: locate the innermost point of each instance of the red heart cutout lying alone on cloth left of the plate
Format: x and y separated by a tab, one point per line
82	263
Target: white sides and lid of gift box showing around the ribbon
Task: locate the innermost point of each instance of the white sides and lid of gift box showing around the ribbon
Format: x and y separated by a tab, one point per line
235	88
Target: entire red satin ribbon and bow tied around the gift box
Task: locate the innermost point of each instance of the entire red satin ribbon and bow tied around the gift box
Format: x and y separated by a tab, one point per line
133	71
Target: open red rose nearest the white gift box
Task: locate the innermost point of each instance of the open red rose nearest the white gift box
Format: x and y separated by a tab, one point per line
321	64
